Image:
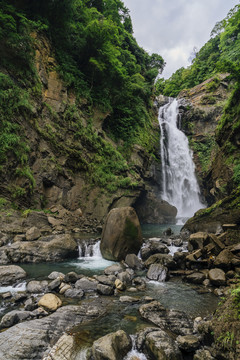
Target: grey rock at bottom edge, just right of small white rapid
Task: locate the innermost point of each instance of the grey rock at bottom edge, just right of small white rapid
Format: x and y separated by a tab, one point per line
159	345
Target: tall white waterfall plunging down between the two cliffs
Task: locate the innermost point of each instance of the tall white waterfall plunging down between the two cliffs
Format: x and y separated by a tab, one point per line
179	183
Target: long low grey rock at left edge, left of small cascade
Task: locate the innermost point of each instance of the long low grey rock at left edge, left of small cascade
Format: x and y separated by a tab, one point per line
47	248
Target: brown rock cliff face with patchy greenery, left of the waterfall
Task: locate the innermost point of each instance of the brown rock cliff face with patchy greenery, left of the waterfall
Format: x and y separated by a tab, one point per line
71	160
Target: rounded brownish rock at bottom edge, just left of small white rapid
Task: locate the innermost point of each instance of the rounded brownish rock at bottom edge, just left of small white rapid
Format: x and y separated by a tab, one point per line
113	346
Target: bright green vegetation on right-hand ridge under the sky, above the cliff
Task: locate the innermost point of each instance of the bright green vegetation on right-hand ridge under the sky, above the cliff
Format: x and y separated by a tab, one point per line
222	48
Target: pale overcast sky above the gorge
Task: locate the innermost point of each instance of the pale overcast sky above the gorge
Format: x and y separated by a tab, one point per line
172	28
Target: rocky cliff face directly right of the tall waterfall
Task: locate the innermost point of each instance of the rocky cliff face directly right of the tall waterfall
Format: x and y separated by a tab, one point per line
214	136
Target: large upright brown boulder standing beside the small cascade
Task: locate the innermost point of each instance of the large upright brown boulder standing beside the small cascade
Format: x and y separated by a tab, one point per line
121	234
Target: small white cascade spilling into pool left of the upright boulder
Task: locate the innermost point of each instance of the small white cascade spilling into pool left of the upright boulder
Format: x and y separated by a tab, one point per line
90	257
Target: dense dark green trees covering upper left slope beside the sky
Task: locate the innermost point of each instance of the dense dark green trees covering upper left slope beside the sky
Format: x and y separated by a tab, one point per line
99	58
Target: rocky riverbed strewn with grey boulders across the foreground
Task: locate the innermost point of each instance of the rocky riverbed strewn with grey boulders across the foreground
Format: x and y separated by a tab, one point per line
46	319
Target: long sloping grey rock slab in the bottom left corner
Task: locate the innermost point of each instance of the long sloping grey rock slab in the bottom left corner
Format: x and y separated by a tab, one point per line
30	339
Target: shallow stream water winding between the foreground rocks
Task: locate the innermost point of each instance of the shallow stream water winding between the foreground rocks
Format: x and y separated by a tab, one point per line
173	294
